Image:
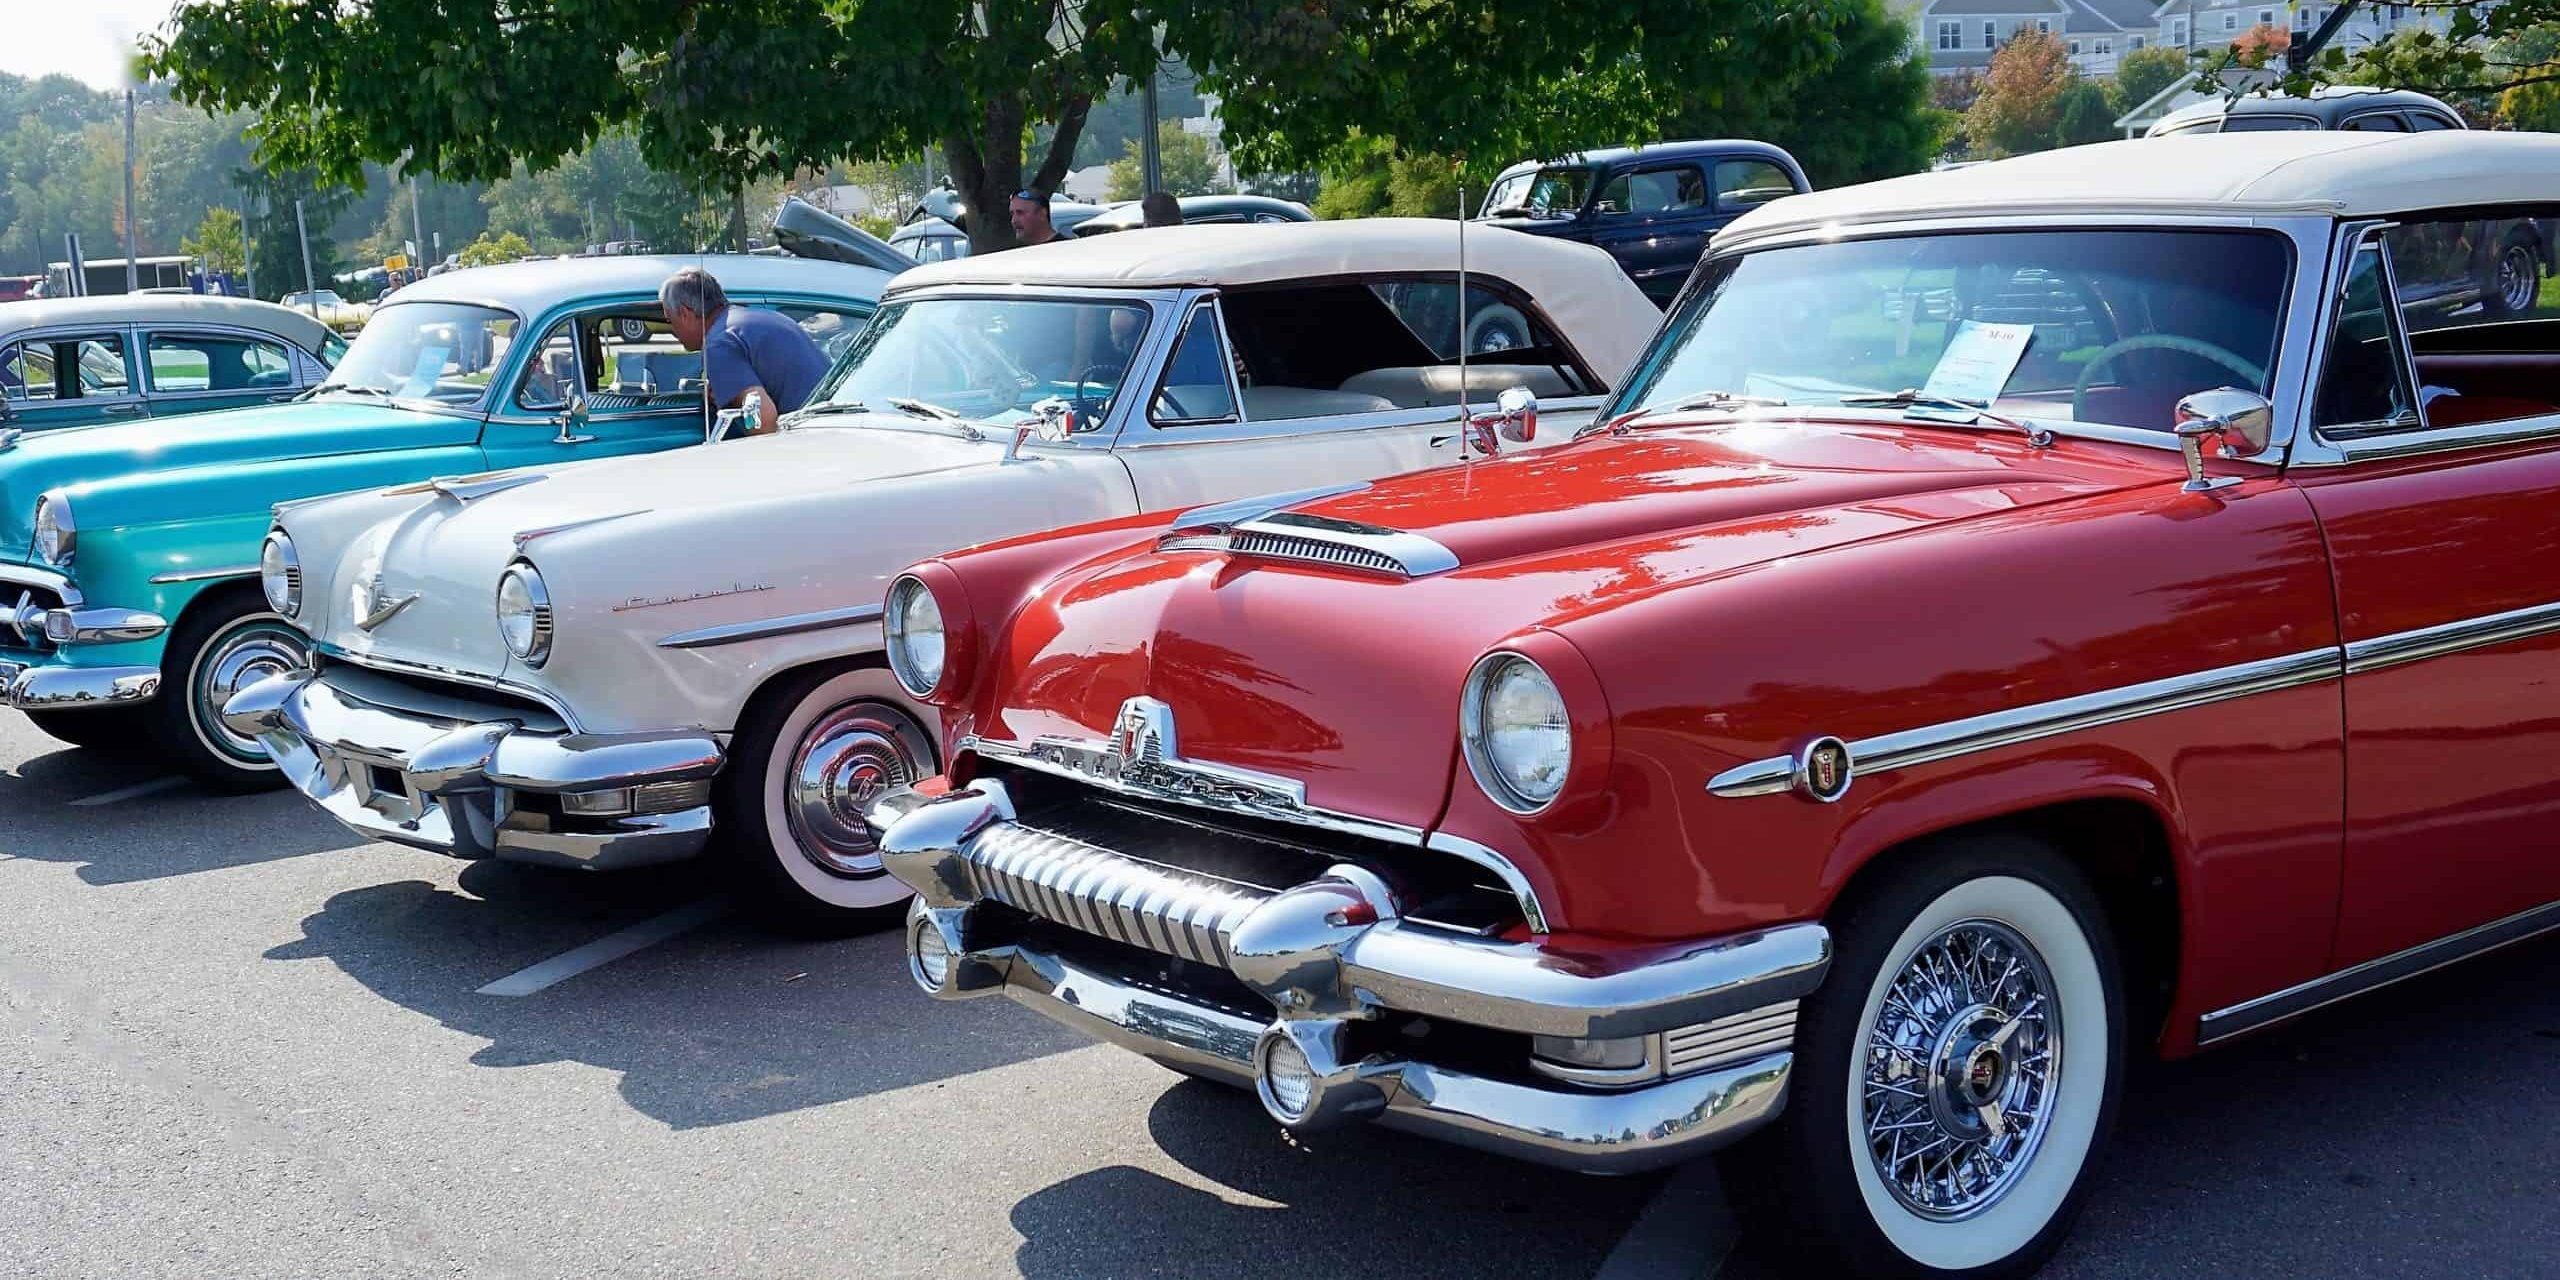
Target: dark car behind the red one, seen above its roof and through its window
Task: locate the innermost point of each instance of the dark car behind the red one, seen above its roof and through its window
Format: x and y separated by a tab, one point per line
2495	265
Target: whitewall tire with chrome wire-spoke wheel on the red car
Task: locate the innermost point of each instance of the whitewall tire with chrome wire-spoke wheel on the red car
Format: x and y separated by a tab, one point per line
1957	1074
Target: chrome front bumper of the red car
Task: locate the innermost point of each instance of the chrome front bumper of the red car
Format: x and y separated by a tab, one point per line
1010	910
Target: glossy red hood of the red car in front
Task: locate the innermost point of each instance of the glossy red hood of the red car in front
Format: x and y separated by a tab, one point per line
1350	682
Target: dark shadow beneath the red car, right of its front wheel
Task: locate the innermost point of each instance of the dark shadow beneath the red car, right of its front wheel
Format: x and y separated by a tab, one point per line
2405	1133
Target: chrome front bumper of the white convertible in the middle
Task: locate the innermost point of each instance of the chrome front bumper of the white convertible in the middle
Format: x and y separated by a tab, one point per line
452	782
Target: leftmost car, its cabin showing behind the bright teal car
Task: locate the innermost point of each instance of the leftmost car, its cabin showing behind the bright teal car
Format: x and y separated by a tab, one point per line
78	362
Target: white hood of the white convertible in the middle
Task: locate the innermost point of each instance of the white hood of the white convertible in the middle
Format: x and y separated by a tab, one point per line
593	526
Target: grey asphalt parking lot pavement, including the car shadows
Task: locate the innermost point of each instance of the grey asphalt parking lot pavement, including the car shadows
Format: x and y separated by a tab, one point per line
239	1041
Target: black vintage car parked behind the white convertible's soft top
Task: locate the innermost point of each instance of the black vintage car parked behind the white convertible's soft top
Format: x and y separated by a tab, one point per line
1647	206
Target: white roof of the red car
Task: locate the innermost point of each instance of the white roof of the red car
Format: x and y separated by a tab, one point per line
2339	173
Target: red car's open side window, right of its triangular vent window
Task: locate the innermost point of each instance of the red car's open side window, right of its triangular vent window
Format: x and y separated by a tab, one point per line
2482	316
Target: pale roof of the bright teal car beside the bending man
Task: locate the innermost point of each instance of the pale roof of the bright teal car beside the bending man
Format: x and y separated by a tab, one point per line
539	285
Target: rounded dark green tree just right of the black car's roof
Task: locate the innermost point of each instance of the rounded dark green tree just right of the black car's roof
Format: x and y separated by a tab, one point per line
1868	119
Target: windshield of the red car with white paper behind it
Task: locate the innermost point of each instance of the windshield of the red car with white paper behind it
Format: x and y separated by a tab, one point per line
2075	326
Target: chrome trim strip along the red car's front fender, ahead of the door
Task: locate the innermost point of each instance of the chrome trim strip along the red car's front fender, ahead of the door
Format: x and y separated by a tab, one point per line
2077	713
